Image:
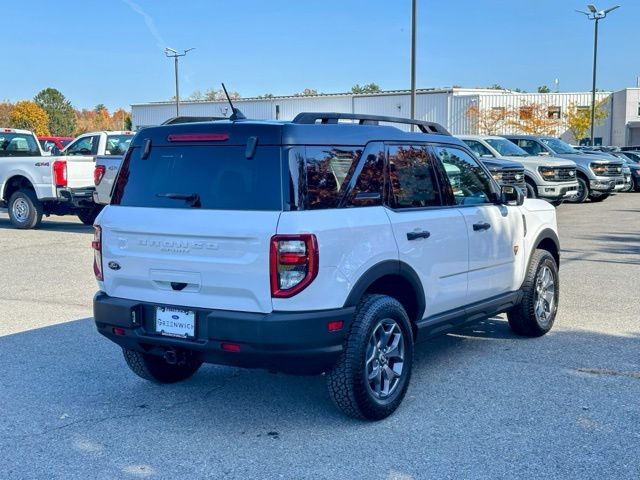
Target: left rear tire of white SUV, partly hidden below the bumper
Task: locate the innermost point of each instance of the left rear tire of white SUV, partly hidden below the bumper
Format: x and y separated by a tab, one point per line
155	369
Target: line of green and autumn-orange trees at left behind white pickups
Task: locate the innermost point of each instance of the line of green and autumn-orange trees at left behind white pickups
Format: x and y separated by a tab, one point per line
50	113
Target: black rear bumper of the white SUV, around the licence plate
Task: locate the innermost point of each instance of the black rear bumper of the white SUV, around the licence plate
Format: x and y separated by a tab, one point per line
290	342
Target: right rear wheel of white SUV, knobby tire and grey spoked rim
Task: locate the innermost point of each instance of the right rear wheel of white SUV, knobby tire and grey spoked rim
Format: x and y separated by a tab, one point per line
370	379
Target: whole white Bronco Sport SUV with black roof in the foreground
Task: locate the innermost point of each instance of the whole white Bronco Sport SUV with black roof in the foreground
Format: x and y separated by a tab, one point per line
313	246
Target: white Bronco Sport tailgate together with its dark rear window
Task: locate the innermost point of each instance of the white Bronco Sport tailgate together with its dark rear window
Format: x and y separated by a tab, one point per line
190	222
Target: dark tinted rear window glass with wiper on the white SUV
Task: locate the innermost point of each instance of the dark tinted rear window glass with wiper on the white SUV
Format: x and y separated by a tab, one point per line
214	178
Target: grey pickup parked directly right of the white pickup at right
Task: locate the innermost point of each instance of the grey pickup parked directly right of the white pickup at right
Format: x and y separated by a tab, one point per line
598	177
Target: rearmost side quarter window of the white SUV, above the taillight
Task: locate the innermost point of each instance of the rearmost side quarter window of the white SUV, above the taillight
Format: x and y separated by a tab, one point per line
327	171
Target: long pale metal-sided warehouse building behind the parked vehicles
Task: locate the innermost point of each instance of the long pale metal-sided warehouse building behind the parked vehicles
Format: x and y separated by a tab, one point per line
447	106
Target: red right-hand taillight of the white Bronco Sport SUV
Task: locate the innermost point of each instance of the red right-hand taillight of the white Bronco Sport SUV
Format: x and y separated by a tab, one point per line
294	263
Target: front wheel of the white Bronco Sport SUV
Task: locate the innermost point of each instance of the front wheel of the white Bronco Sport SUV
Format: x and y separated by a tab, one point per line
536	313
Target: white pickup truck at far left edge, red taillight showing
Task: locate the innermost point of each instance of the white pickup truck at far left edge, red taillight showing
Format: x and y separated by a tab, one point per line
33	183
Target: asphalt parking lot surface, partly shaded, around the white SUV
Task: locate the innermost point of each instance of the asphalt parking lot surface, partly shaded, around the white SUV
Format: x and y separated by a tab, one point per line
482	403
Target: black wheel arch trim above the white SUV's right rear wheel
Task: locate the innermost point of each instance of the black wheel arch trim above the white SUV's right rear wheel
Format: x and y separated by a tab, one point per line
382	269
